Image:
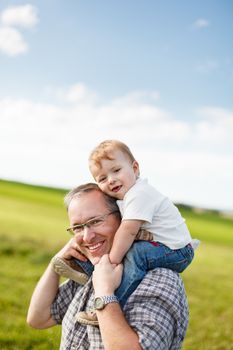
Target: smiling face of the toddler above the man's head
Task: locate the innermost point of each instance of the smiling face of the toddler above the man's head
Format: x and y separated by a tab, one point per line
116	176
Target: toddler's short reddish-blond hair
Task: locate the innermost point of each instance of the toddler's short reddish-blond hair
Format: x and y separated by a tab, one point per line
104	151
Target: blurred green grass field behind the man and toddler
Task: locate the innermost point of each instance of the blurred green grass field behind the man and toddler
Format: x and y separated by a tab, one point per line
32	228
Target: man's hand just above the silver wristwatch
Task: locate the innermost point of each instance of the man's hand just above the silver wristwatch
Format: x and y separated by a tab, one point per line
106	276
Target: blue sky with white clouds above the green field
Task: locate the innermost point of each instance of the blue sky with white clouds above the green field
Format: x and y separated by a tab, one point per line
155	74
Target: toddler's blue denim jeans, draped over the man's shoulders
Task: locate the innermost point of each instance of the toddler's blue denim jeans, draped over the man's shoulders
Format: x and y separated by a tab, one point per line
142	257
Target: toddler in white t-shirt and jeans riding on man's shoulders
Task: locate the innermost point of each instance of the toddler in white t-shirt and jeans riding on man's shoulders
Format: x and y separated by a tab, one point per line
116	172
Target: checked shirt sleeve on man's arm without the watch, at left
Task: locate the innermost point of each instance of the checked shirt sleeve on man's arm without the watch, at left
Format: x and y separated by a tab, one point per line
63	299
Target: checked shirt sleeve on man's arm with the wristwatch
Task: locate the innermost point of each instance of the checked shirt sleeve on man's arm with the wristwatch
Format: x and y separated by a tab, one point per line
158	310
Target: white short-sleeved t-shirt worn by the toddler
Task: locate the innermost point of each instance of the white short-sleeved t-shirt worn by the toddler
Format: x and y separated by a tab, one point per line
161	216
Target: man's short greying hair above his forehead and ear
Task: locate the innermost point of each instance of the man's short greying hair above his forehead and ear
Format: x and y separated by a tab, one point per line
87	188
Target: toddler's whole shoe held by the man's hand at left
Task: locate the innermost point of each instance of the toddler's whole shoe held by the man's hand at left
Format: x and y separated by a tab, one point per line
69	269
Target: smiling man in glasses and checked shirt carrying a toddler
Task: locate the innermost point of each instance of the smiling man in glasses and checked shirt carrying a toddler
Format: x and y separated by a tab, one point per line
155	315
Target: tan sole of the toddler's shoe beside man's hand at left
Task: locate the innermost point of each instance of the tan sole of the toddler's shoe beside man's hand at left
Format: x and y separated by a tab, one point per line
63	269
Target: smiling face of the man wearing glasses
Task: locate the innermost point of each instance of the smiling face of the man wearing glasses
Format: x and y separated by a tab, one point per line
93	242
